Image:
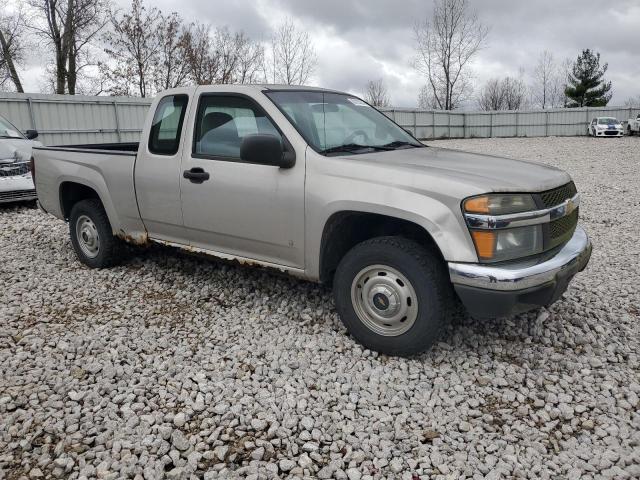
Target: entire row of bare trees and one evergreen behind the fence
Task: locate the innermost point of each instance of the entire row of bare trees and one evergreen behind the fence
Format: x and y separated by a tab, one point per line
95	49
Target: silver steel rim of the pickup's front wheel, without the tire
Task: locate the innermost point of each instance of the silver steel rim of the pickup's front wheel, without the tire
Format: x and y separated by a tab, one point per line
384	300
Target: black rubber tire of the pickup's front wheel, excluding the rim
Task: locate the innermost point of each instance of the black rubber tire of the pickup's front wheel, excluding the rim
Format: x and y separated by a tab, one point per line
427	276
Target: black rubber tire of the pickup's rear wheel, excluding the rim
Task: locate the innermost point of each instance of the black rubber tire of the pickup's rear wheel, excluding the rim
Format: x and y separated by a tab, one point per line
109	250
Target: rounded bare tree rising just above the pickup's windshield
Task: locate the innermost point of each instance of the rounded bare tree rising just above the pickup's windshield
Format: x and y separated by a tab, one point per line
293	56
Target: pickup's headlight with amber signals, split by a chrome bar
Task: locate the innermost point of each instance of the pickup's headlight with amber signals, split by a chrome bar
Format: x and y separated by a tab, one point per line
496	245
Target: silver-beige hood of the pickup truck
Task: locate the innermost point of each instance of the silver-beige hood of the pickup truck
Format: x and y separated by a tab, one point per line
487	173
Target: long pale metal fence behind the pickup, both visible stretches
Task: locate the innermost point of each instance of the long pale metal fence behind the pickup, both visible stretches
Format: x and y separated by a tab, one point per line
64	119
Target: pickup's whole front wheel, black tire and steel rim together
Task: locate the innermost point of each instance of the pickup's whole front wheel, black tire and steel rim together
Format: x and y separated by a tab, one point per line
392	295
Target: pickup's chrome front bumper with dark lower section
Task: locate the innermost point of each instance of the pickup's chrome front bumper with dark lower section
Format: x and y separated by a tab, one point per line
500	290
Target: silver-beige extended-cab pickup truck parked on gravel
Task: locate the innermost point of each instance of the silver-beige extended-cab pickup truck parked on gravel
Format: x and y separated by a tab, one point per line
321	185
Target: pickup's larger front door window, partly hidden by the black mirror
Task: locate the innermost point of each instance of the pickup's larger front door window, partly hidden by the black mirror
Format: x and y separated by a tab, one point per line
222	123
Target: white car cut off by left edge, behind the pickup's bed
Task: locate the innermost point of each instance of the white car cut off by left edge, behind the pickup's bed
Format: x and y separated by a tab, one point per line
16	184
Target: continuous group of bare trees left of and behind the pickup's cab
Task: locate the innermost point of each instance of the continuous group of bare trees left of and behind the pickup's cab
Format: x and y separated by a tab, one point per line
97	49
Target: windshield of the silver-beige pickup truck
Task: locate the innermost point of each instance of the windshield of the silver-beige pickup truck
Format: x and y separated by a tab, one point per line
335	123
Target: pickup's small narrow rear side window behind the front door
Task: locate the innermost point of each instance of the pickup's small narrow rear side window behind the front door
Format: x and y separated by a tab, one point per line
166	129
